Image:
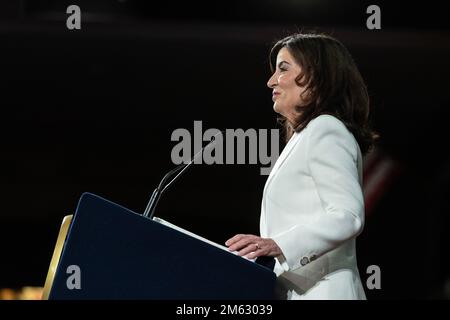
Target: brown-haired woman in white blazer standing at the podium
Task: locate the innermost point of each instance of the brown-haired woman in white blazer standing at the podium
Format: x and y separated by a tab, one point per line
313	207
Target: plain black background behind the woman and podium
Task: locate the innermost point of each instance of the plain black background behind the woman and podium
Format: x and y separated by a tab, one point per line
93	110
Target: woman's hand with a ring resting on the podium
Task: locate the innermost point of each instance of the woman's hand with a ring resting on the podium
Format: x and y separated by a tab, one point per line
252	246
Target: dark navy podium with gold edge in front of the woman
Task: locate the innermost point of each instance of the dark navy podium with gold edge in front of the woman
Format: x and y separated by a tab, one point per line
111	252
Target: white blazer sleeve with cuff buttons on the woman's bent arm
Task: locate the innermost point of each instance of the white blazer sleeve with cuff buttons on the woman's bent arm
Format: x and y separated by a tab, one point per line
332	155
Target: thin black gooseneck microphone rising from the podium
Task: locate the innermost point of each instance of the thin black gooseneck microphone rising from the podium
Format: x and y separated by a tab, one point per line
178	171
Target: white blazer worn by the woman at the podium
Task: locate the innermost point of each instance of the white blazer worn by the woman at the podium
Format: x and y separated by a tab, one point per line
313	208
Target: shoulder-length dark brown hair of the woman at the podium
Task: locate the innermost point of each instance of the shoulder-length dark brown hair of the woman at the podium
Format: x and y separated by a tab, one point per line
333	83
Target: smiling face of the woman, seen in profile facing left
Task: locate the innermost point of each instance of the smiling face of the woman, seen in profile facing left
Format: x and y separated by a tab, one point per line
286	93
